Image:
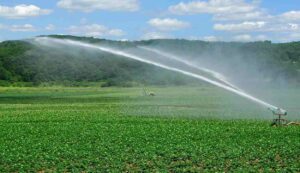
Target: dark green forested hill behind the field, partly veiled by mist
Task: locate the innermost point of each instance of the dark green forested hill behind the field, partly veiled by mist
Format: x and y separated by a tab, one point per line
22	62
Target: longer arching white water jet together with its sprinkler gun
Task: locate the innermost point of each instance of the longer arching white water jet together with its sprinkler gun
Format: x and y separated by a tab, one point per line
276	110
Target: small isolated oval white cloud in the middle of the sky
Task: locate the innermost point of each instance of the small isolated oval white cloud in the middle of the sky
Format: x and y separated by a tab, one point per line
168	24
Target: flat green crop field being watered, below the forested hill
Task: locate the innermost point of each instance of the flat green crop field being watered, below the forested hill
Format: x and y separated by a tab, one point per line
118	129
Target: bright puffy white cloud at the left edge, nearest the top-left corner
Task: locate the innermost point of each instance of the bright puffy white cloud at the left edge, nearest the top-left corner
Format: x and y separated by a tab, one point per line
22	11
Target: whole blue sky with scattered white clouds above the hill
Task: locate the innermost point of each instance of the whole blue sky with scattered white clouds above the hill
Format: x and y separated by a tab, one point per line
212	20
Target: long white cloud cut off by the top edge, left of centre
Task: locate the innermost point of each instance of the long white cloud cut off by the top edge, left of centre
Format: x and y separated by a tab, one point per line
92	5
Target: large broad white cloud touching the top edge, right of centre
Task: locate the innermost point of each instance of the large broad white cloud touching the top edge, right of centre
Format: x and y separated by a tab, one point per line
223	10
